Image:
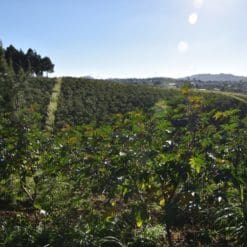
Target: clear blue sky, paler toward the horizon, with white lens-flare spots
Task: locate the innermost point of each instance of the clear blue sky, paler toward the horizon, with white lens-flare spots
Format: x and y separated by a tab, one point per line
131	38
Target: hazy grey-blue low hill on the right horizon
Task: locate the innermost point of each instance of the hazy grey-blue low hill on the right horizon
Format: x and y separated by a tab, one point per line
217	77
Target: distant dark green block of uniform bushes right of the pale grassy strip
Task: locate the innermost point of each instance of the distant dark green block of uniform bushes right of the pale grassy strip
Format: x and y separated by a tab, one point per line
84	101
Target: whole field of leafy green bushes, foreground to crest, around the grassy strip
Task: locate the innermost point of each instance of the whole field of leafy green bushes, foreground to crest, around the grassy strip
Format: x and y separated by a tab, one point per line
128	166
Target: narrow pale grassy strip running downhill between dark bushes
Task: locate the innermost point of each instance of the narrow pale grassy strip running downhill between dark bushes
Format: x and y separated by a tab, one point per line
52	107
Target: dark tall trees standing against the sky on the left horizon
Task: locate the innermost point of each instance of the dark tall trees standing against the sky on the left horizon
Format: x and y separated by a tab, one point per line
17	62
